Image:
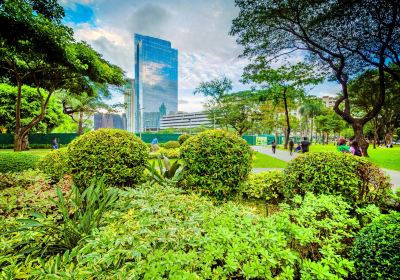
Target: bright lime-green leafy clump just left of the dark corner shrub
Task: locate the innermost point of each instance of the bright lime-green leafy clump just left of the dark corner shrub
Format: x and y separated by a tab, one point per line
320	229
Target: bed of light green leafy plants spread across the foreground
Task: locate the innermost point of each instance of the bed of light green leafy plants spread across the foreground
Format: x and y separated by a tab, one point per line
160	232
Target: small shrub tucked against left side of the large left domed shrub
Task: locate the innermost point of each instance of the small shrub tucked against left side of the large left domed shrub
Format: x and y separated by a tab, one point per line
54	164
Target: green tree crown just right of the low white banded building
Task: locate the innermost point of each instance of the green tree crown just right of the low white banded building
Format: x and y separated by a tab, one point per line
239	110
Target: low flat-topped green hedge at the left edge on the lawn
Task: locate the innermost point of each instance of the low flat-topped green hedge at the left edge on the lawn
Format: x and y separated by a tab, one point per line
17	161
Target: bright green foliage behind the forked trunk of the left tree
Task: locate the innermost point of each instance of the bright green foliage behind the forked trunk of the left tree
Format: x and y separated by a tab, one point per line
30	107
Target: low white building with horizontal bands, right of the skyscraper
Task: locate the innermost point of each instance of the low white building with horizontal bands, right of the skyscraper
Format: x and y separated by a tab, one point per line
185	120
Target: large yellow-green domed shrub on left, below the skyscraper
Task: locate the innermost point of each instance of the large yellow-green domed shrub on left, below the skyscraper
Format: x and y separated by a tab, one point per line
116	154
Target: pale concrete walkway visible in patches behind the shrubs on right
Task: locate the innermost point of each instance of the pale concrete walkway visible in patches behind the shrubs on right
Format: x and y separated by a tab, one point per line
285	156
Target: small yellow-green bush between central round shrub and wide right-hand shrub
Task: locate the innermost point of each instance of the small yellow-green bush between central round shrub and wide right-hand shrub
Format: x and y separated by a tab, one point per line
266	185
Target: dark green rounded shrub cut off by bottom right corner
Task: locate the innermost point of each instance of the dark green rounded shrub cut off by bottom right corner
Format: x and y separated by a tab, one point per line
376	250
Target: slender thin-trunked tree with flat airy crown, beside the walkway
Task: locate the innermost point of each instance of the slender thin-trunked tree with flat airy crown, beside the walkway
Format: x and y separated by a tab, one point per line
282	84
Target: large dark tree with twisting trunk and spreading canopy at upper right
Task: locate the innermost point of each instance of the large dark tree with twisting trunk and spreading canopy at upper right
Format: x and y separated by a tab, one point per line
342	37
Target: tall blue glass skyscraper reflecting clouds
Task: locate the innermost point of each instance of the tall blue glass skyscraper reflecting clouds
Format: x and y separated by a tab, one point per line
156	81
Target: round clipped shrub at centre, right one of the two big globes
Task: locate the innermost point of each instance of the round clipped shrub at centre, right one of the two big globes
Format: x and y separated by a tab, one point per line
216	163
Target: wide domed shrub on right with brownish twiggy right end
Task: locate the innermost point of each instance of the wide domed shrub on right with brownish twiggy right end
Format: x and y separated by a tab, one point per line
356	179
